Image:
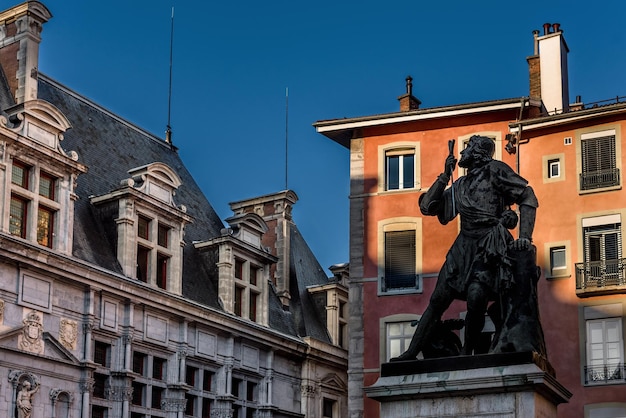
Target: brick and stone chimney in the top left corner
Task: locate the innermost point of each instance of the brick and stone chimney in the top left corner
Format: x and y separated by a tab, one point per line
20	29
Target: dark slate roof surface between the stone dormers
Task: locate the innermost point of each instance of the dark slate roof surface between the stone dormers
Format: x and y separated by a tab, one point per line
110	146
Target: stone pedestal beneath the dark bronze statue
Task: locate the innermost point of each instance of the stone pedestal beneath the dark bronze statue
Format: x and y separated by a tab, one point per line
515	385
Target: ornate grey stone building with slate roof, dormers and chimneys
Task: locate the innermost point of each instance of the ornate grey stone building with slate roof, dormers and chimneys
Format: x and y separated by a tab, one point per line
122	294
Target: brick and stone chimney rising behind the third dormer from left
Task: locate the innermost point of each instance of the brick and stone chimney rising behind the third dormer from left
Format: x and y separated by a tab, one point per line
275	209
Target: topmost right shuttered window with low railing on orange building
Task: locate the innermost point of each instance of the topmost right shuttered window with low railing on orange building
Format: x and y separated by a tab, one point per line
598	160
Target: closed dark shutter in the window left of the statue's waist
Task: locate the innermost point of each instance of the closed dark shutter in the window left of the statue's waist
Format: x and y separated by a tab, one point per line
400	259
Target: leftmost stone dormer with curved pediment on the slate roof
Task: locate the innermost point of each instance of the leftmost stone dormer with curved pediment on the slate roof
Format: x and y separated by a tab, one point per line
38	197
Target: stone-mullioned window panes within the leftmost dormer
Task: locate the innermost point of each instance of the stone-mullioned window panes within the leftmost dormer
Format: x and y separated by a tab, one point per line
33	207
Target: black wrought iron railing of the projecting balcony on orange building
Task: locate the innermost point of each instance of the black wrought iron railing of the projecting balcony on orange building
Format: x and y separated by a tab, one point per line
601	274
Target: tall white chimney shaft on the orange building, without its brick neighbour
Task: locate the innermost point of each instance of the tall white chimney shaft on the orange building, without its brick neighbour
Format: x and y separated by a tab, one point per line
553	63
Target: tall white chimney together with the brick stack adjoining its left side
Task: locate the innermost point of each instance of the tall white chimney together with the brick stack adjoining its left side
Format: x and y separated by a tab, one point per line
547	69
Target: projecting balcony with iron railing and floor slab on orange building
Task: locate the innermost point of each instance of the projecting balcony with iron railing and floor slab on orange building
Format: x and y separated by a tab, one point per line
601	277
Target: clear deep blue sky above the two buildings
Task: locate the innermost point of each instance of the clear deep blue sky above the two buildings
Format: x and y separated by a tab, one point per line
233	61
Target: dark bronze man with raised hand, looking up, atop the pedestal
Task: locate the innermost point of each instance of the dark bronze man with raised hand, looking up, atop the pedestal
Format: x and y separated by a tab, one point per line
477	266
